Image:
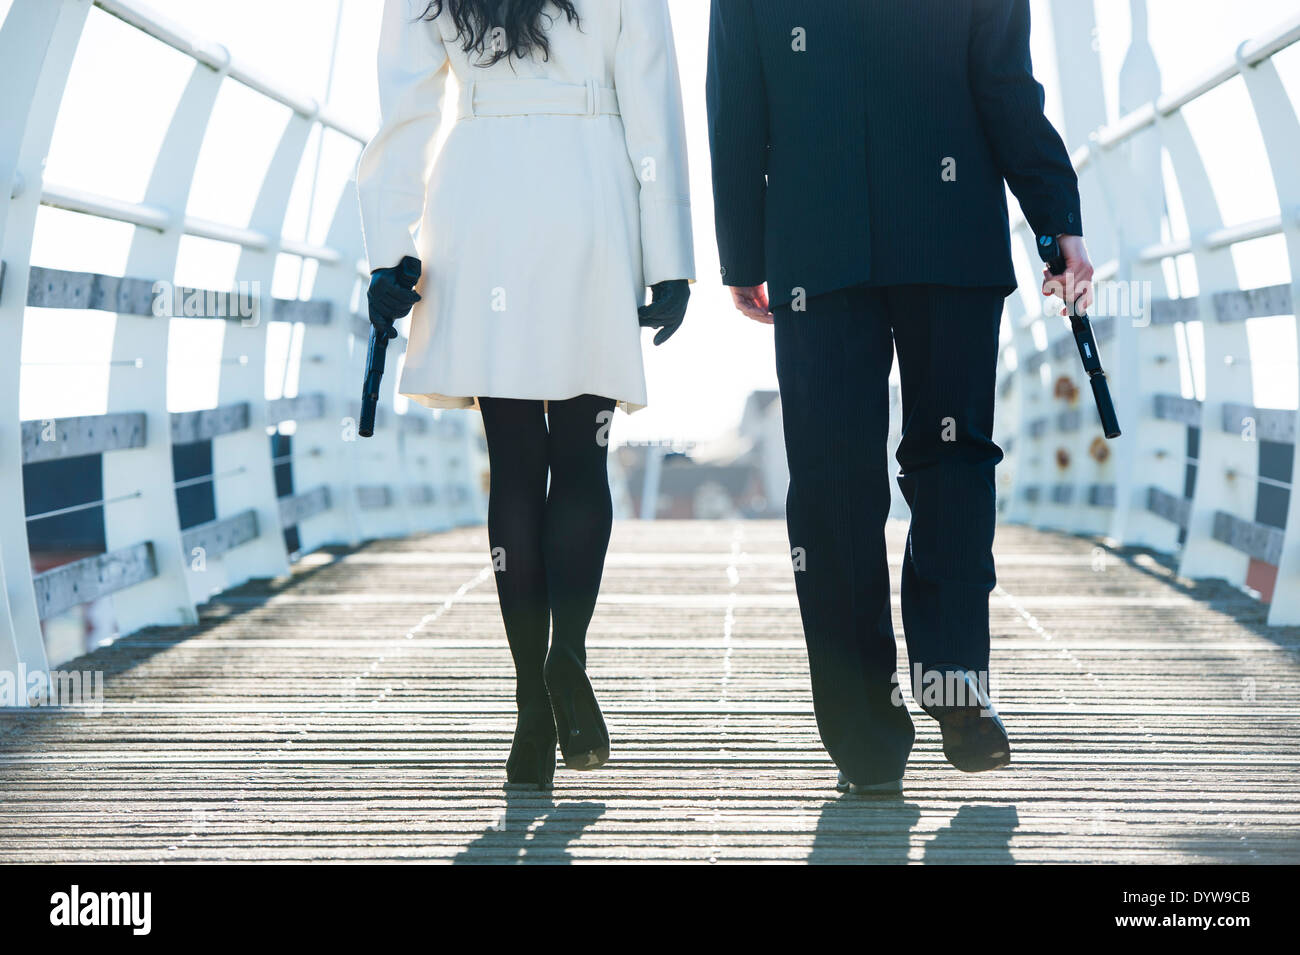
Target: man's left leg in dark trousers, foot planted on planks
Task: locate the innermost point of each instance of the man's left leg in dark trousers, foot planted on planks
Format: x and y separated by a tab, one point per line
834	366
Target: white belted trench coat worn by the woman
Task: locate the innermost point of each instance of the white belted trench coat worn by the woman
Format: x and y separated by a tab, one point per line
558	197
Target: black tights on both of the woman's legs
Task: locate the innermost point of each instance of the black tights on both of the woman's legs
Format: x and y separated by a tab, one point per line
548	545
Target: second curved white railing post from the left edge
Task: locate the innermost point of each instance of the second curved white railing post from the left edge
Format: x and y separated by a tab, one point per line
138	381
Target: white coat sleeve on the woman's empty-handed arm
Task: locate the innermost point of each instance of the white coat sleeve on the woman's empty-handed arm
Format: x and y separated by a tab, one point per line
649	88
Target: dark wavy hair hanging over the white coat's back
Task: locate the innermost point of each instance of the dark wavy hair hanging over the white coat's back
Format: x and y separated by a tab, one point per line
522	25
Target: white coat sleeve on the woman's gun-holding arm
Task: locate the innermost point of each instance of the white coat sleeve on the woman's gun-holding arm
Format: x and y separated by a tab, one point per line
395	167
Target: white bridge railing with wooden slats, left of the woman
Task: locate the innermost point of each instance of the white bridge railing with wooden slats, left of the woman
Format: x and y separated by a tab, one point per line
287	475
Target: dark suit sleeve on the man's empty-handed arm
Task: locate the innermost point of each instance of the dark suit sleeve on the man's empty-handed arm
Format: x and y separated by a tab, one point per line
738	140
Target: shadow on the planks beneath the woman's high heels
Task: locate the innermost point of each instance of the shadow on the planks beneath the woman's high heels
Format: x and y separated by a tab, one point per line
532	830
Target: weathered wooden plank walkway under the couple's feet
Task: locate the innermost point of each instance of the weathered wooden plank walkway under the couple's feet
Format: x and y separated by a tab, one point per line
362	711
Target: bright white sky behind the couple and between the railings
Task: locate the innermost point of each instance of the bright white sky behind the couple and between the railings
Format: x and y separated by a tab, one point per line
125	86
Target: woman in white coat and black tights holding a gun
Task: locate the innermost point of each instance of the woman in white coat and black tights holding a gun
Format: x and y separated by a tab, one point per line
560	194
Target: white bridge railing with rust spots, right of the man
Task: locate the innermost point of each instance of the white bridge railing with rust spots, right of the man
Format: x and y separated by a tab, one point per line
1201	471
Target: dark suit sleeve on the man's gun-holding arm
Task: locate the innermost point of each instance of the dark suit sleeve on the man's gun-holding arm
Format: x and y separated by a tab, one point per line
1009	101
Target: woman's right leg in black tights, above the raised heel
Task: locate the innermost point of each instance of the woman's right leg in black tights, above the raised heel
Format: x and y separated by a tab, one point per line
579	515
